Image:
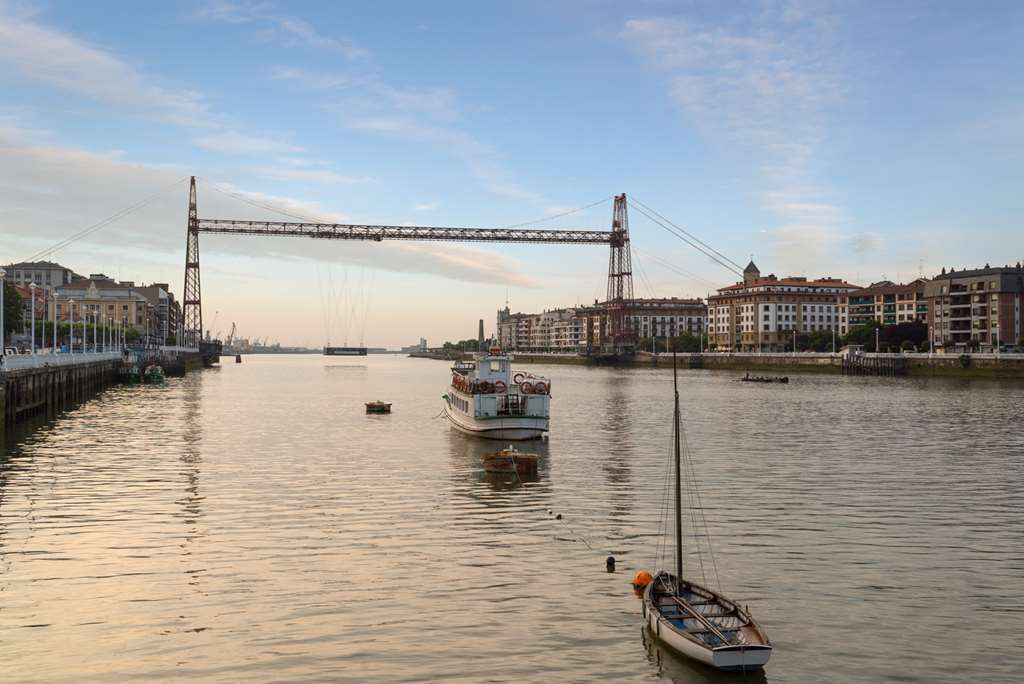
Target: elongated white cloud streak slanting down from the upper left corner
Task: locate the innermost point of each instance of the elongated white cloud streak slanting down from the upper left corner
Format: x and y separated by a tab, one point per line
32	52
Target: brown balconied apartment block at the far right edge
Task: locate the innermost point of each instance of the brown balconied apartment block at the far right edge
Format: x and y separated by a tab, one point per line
980	308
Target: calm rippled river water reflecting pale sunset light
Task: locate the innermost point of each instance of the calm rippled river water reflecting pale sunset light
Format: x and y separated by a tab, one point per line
251	524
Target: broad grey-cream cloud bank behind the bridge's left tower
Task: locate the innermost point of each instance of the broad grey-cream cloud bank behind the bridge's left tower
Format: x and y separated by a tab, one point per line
83	188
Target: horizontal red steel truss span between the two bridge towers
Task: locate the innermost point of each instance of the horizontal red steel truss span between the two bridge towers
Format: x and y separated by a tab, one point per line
381	233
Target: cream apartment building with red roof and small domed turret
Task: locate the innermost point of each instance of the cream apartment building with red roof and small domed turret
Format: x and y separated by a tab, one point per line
765	313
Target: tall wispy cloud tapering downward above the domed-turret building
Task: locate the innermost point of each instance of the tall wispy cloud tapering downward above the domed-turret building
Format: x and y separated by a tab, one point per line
766	83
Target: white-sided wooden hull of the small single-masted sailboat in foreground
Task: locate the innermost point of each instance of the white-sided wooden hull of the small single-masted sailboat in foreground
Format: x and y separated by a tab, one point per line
745	657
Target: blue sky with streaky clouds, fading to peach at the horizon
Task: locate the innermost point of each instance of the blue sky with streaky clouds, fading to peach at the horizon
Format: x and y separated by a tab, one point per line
864	141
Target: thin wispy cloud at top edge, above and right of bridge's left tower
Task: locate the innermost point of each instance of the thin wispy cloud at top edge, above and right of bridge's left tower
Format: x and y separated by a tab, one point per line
291	30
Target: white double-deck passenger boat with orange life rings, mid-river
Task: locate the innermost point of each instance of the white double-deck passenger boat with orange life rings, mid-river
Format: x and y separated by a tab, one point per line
487	400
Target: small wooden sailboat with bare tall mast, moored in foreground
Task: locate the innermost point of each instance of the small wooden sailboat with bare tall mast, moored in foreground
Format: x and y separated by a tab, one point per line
694	620
